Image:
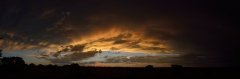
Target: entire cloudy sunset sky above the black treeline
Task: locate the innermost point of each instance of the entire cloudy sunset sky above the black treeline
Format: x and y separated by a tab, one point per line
121	33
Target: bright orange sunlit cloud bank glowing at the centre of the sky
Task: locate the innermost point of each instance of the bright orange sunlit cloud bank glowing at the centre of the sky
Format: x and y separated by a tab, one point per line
122	40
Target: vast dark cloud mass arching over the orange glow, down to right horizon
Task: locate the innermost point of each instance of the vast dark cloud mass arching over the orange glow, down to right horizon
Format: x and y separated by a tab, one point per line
199	27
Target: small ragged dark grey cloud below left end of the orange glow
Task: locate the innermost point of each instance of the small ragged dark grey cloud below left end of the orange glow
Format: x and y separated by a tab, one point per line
69	54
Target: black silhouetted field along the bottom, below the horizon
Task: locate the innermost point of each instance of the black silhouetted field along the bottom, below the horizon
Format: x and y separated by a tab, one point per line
76	72
